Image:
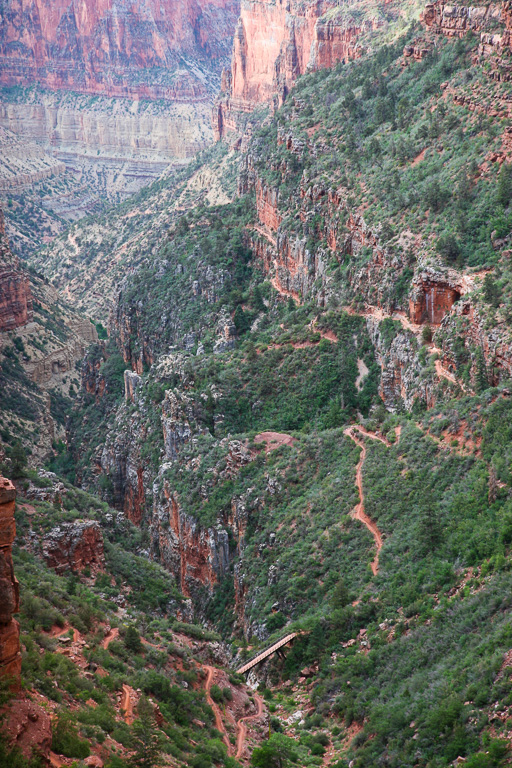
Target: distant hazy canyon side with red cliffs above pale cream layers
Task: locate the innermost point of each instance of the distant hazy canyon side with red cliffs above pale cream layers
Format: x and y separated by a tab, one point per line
98	99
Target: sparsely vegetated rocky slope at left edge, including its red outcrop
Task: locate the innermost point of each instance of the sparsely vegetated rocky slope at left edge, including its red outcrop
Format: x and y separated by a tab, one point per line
41	343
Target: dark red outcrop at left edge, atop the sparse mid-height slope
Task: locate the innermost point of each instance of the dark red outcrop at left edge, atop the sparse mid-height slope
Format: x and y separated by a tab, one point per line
15	295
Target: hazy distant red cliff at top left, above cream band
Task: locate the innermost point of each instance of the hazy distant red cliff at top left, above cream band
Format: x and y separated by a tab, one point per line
115	47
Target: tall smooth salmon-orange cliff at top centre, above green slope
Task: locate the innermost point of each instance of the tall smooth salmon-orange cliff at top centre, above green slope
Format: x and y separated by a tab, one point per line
305	36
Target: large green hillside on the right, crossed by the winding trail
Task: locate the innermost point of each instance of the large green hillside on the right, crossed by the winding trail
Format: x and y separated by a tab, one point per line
303	405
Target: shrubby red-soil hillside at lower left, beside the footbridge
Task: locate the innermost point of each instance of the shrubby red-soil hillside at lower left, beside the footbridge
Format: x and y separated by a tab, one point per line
109	672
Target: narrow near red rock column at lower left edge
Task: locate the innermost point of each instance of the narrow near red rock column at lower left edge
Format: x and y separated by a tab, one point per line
10	656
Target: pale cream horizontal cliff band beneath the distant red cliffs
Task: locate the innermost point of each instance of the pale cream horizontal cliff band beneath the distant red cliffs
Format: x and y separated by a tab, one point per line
108	128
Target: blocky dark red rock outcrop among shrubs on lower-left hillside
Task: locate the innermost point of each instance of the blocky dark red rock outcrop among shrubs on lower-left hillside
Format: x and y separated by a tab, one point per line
74	546
